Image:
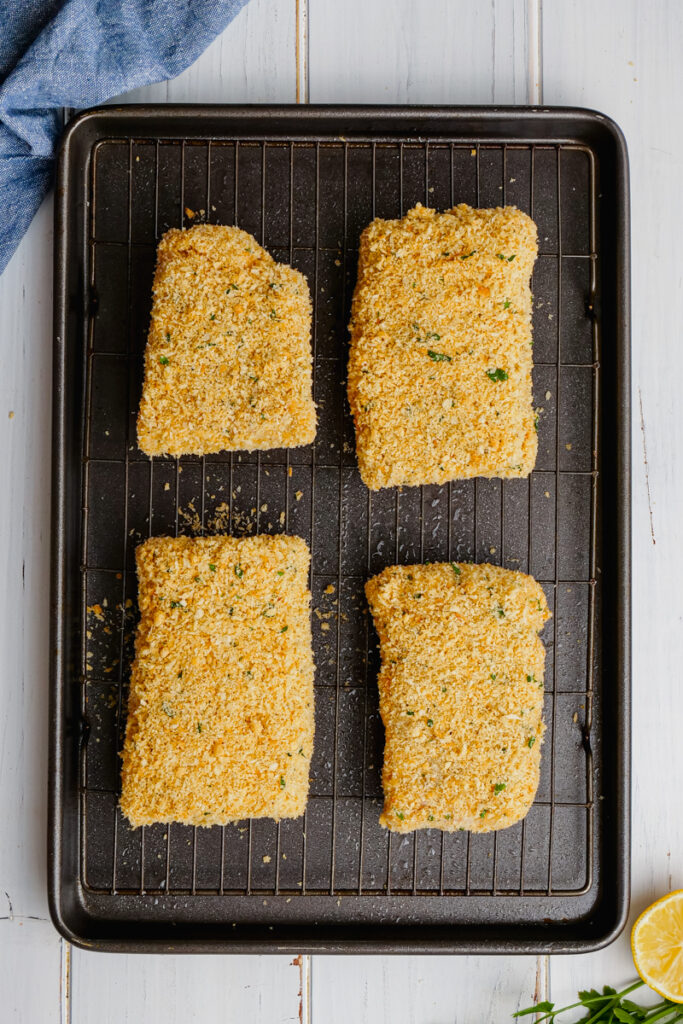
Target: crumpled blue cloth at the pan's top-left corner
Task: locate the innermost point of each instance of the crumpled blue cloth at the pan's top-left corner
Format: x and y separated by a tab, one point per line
78	54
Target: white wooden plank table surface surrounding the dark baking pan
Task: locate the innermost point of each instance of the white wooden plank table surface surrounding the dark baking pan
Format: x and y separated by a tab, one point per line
621	57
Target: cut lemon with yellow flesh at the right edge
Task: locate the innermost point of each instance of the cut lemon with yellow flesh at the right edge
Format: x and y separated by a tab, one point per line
657	944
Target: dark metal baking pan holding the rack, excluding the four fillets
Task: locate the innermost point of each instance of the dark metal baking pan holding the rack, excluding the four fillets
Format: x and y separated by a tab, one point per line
306	182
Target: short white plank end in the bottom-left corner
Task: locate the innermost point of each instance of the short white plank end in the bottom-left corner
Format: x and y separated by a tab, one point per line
31	971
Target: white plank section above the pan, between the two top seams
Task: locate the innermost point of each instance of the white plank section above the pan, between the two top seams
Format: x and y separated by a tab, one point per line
436	52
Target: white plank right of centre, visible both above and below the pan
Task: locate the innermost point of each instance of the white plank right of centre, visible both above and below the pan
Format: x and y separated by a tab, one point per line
438	52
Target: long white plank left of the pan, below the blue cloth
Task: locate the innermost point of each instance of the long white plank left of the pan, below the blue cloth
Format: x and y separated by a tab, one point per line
26	296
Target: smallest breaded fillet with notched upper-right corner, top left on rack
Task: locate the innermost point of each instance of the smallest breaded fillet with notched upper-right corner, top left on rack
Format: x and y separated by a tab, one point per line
229	361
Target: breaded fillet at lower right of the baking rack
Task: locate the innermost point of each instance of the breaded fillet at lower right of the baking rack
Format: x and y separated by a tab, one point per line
461	695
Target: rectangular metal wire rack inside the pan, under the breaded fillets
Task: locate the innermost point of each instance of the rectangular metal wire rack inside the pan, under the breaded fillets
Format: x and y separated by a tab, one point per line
308	202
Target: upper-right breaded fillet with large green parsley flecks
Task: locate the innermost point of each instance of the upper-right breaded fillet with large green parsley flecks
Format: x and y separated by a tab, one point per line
440	379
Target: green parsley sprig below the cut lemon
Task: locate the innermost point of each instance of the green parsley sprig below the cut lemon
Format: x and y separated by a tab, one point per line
610	1007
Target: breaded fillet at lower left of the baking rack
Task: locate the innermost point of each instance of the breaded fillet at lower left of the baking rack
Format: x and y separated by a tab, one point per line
221	716
